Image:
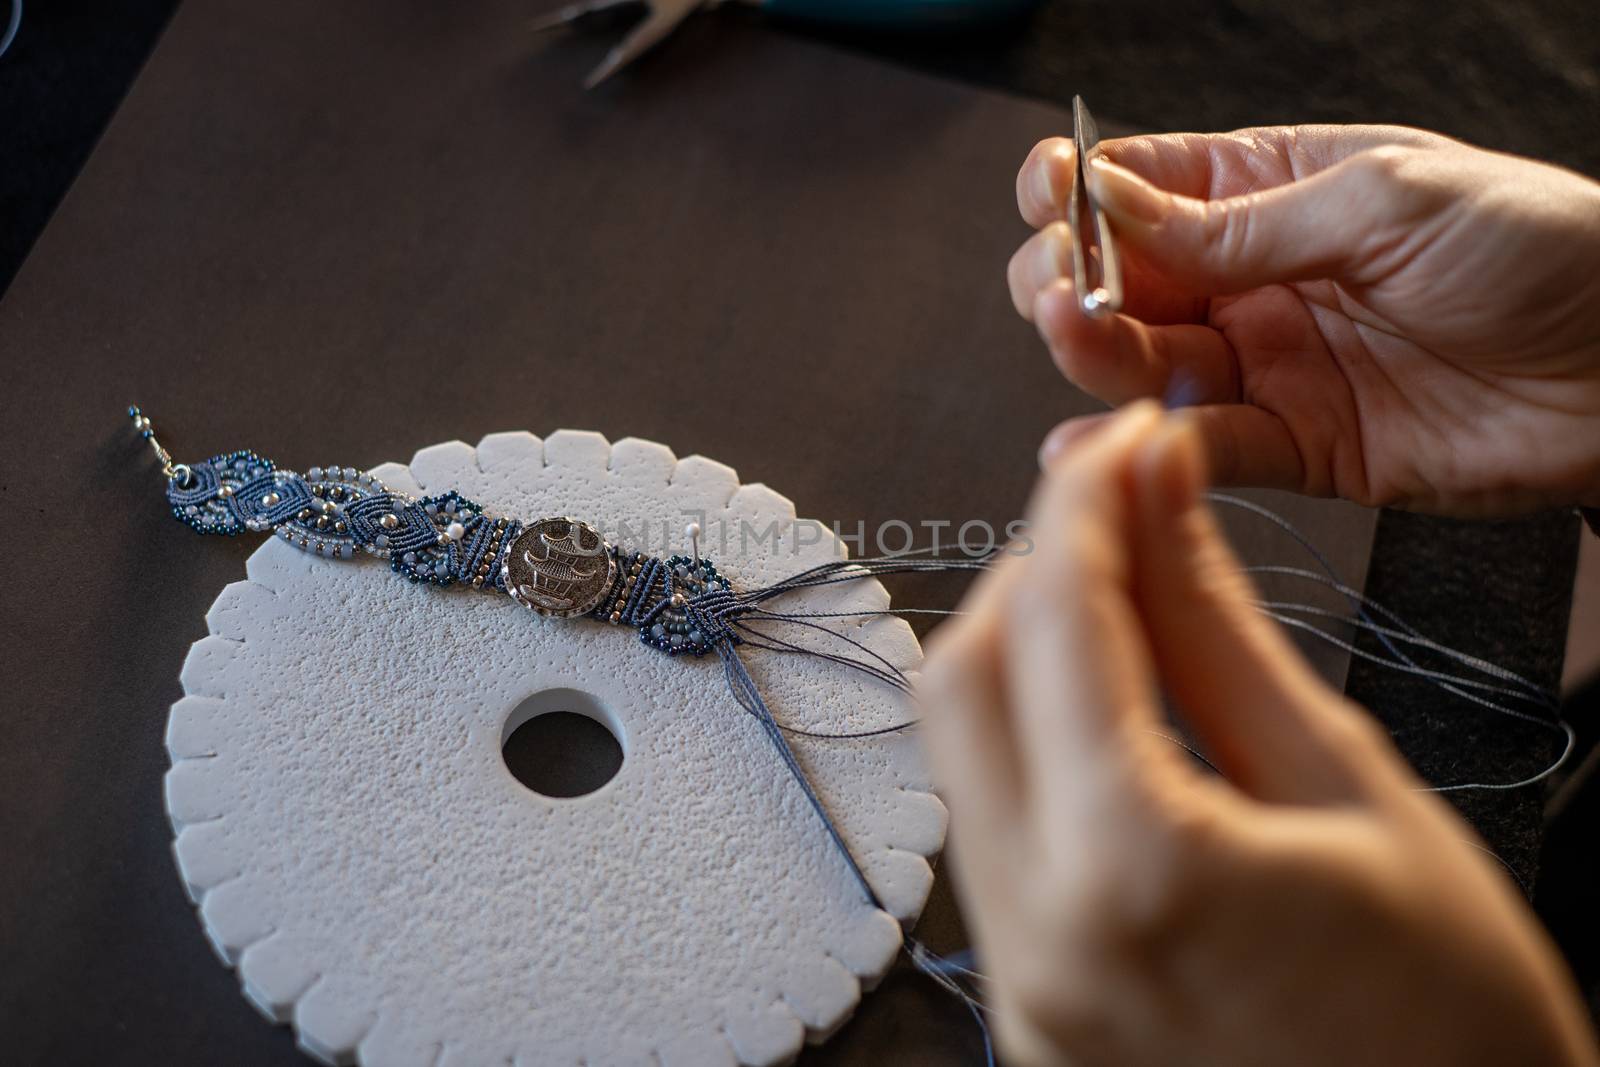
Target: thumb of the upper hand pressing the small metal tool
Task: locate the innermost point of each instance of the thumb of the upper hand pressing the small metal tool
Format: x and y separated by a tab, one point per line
1334	225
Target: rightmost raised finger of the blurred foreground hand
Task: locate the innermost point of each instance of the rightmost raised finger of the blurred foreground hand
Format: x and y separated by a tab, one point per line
1265	717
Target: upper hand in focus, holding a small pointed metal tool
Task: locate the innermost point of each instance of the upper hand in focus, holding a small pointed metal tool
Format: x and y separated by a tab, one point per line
1370	313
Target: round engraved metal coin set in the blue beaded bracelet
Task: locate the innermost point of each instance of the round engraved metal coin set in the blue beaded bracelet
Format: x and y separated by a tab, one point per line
559	567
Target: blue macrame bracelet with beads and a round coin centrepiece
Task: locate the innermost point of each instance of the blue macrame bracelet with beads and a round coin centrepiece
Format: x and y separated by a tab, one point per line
556	567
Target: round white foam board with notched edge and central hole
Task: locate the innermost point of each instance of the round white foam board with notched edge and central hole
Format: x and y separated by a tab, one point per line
362	855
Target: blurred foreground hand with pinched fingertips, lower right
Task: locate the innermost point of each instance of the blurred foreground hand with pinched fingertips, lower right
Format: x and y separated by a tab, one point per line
1130	908
